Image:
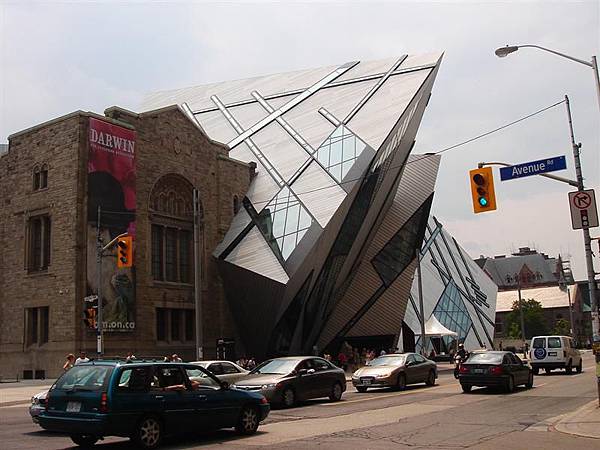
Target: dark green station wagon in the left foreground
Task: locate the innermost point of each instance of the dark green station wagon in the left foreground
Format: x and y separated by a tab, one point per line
145	400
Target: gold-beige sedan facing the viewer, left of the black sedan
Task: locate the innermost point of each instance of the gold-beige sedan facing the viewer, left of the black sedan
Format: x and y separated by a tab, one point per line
395	370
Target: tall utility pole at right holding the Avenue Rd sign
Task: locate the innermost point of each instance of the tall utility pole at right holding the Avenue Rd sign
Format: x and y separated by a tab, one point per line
587	242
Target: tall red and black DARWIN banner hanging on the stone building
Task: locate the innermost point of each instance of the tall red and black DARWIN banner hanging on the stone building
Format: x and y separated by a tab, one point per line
111	185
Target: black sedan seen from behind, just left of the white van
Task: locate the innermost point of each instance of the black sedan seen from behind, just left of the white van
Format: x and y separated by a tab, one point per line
501	369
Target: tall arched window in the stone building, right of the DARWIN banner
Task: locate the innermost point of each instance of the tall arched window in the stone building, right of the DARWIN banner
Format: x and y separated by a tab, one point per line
171	214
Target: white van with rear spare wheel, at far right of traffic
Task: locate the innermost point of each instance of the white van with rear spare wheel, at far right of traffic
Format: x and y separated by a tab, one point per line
554	352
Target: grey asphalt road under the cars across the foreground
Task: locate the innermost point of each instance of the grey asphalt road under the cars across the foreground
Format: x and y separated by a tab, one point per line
439	417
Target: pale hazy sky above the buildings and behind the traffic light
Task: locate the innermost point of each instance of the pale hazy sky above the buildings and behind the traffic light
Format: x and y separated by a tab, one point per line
57	57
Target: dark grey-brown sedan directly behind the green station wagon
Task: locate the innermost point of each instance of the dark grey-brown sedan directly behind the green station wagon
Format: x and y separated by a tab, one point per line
291	379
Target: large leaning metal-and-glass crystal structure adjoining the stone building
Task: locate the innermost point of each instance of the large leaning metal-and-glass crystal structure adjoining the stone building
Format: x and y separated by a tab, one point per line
323	246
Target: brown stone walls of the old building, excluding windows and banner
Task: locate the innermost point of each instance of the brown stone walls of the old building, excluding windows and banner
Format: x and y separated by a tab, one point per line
168	144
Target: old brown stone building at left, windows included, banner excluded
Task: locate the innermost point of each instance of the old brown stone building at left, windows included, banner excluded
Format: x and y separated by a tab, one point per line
46	239
